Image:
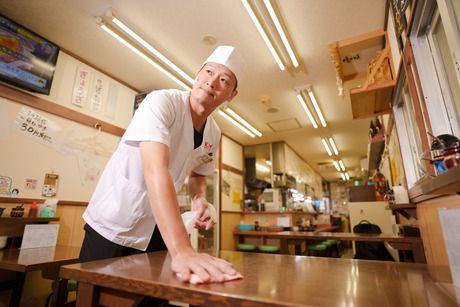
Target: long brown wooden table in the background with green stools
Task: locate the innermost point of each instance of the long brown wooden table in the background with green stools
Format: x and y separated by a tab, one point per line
414	244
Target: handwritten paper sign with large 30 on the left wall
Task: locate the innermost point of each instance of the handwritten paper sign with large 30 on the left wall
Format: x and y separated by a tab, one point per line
36	126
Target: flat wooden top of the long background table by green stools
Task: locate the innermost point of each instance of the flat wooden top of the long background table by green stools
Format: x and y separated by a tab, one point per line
344	236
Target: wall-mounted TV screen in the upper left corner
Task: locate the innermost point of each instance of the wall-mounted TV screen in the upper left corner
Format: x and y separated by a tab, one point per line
27	60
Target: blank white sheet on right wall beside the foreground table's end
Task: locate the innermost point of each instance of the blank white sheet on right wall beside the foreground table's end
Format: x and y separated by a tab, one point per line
449	218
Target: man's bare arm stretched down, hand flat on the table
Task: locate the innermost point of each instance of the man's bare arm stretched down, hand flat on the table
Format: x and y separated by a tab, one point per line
155	161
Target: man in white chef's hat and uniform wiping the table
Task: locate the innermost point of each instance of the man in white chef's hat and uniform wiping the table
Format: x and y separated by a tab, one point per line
171	136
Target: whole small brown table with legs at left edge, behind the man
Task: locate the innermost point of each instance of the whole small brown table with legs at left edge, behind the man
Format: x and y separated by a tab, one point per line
45	259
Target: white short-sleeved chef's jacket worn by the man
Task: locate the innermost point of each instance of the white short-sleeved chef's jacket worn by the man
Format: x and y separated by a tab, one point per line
119	209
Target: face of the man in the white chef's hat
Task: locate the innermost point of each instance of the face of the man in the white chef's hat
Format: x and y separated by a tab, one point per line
214	84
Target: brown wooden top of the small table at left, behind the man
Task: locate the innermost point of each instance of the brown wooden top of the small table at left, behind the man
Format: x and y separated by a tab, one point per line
31	259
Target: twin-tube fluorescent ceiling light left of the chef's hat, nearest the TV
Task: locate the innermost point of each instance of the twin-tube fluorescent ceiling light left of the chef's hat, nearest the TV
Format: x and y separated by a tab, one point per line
110	28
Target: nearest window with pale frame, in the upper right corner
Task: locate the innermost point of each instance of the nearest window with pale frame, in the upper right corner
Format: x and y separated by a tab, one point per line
435	38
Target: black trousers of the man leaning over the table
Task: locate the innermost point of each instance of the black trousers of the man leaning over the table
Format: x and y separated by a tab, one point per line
96	247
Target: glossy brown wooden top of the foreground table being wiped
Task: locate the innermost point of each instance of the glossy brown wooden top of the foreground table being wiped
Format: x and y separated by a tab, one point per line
277	280
